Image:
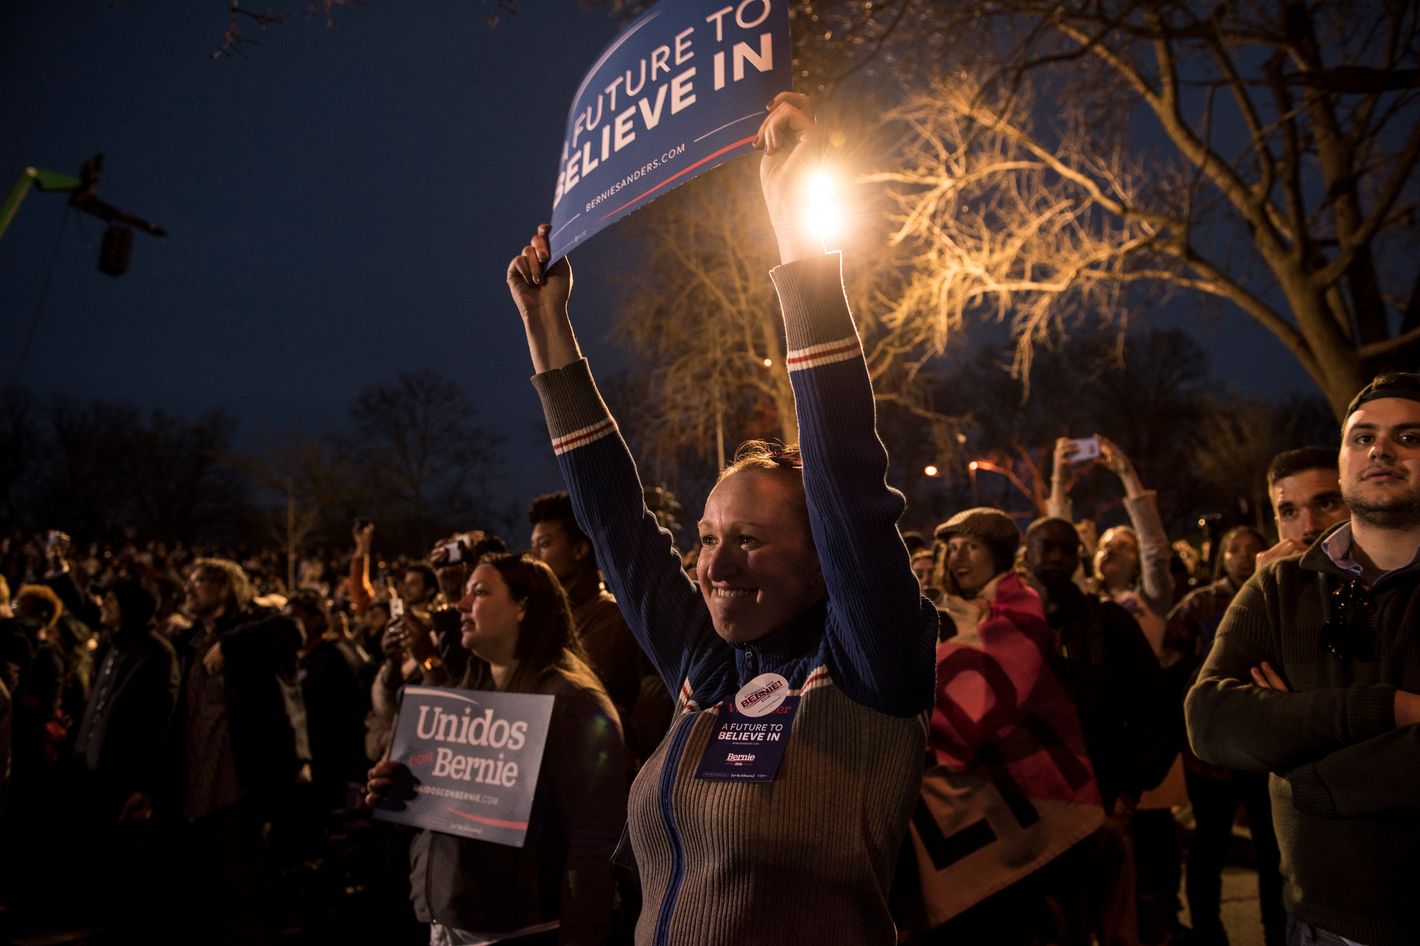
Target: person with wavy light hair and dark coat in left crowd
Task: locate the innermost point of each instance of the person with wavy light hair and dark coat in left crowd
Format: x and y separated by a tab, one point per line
241	752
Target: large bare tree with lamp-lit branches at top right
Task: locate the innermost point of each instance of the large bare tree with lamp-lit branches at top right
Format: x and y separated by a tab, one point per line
1259	154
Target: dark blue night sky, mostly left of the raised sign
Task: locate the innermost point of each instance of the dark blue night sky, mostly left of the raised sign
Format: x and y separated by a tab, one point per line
342	205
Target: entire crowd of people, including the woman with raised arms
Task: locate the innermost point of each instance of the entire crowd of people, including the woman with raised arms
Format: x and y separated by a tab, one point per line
993	731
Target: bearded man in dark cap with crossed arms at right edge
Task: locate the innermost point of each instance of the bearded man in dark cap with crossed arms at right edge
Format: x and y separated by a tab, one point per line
1316	678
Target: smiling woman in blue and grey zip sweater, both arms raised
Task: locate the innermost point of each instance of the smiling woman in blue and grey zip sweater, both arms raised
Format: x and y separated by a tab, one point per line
804	660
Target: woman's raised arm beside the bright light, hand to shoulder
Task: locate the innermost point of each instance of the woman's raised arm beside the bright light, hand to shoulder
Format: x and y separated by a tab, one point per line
881	630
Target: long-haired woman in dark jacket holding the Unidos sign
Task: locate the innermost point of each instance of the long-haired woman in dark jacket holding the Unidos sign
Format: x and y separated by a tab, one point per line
556	890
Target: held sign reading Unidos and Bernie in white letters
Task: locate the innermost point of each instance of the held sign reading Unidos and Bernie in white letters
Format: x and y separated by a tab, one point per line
472	759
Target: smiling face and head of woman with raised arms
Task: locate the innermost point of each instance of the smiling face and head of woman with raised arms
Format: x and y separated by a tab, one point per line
758	567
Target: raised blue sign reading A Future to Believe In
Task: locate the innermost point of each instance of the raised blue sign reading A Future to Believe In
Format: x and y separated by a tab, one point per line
679	93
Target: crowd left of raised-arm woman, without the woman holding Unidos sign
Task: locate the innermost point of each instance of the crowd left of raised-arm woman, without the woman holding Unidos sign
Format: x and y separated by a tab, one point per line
204	731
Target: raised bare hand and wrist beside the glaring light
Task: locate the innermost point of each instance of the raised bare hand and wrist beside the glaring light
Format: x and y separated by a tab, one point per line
790	141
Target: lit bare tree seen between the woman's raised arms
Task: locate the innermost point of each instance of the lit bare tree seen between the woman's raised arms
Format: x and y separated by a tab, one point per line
702	316
